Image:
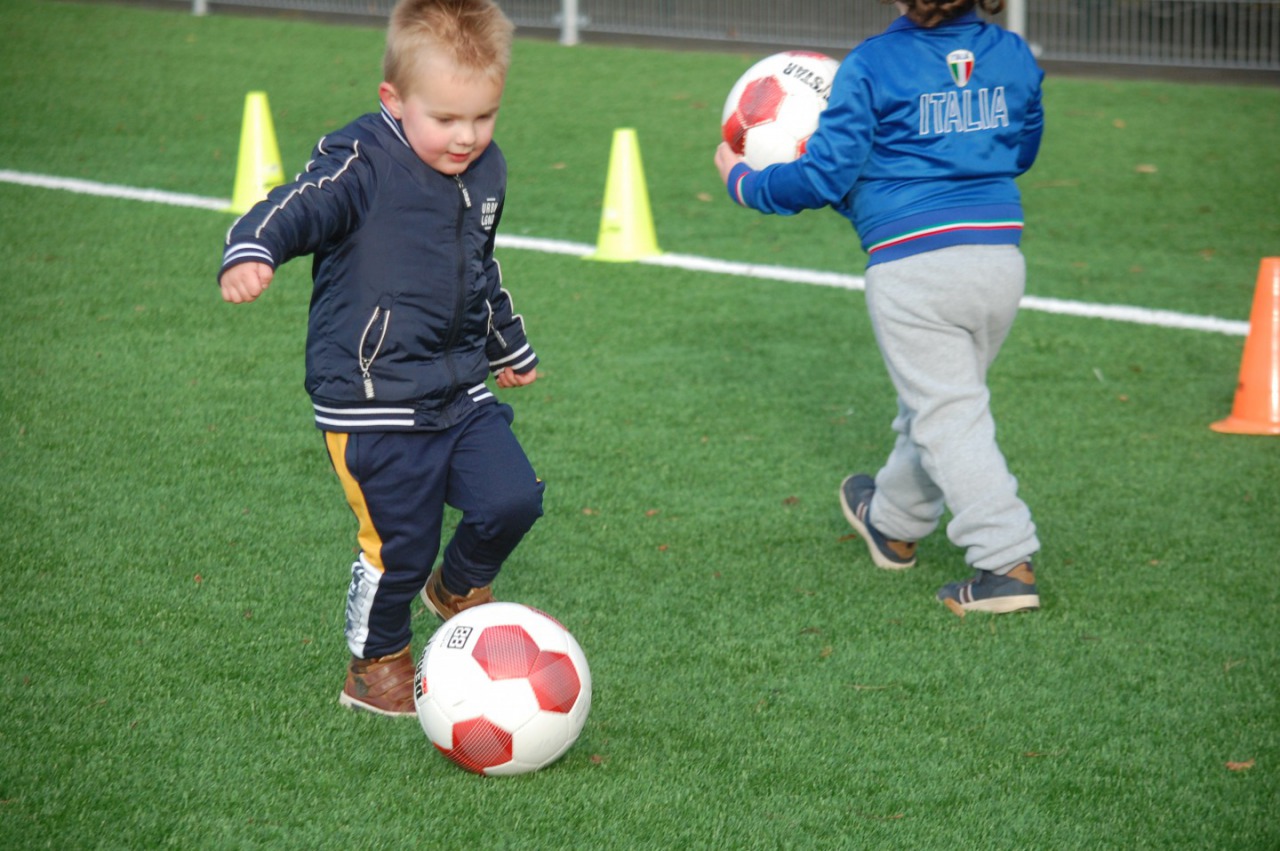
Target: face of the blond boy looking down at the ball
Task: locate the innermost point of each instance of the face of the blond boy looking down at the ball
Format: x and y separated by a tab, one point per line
449	115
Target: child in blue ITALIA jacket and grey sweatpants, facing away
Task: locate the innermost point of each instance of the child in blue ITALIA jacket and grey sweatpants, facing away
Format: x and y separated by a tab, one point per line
927	127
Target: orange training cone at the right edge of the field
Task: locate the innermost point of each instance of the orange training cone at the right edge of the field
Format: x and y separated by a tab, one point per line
1258	396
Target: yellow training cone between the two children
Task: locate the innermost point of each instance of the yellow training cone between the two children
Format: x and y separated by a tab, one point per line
627	223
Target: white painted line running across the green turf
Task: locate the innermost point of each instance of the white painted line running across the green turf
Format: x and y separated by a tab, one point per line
1112	313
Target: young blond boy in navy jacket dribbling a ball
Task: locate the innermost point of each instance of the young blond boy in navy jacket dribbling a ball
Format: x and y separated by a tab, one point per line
409	318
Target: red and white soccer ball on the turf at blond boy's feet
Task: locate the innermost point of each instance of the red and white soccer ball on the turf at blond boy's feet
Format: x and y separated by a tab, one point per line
502	689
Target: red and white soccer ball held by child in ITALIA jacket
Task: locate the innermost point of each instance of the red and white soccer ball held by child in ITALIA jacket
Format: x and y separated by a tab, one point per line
774	108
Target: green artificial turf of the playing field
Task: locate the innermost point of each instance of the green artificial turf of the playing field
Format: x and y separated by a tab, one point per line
177	547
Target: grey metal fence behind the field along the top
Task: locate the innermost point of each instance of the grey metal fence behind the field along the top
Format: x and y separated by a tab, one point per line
1186	34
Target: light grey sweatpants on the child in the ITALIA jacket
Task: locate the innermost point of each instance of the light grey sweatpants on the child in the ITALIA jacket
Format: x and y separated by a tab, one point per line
940	321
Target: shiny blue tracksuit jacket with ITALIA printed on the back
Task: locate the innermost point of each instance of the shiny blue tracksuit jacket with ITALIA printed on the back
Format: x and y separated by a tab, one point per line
920	145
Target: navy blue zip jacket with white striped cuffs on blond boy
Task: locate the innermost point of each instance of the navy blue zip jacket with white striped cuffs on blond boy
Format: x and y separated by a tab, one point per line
409	315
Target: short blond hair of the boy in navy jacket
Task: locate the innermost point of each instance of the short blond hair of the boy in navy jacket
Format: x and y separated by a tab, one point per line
474	35
